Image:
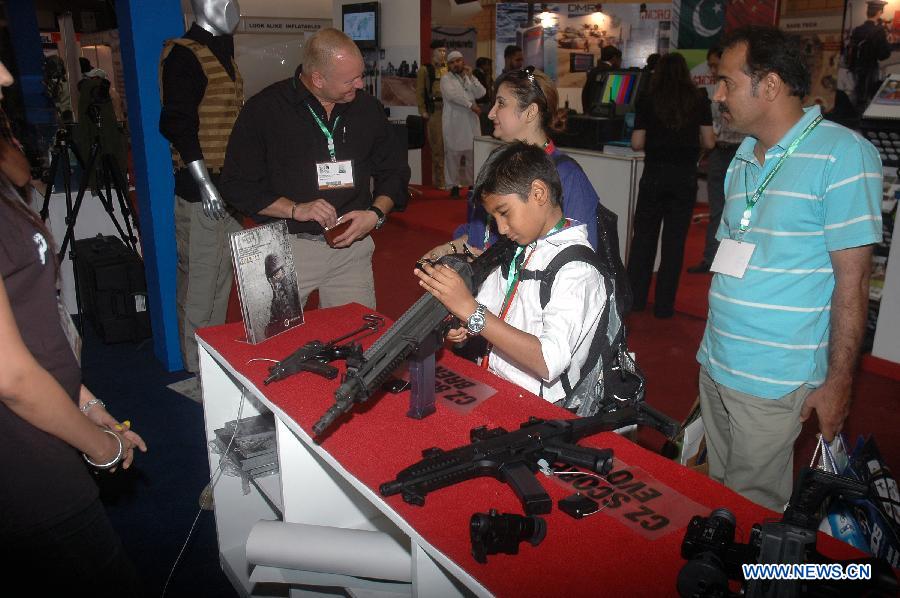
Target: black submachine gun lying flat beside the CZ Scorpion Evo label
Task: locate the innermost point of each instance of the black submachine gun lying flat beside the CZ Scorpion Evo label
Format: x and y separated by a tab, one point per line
513	457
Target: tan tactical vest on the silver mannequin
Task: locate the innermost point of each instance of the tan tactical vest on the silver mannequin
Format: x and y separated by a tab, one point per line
219	107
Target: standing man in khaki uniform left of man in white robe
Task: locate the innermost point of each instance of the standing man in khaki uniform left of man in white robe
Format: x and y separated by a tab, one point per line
431	108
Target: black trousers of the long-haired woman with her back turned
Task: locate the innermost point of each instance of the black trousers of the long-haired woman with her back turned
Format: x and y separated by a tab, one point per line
666	198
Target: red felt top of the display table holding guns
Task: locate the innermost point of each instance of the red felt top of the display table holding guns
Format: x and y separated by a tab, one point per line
604	553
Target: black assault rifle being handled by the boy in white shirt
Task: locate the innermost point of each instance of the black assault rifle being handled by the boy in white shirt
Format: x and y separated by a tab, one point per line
421	329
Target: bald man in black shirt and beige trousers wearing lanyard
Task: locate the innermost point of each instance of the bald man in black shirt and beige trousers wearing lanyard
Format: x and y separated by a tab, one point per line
308	150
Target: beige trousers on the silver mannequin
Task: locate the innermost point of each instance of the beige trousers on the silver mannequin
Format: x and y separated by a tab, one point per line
203	280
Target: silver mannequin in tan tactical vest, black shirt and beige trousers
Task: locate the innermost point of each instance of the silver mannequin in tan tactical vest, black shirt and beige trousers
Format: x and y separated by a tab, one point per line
202	93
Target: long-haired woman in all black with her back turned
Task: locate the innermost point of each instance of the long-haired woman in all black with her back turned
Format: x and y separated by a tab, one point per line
672	125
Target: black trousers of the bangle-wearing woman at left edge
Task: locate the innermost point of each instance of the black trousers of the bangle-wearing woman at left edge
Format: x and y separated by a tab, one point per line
79	556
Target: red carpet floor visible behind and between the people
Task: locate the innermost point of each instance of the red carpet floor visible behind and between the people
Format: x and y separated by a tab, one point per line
665	348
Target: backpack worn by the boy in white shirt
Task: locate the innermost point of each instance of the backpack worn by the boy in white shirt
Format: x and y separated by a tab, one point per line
609	377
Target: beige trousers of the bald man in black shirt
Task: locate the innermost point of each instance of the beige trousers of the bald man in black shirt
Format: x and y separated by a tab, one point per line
341	275
